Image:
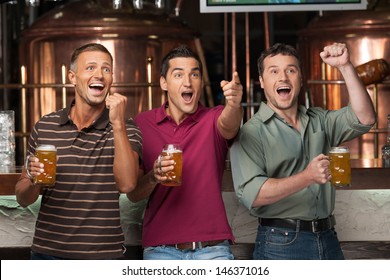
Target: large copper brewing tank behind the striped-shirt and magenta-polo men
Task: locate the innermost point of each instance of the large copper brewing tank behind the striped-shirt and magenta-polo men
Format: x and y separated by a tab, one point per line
138	39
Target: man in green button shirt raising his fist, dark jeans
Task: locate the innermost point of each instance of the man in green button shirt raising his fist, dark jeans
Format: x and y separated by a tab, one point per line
279	163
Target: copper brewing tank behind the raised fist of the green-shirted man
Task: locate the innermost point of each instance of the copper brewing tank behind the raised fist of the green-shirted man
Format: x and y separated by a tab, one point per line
366	34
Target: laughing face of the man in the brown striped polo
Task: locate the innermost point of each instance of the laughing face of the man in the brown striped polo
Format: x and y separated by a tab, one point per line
92	76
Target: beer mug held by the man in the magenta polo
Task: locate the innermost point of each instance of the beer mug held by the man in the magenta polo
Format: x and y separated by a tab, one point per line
174	176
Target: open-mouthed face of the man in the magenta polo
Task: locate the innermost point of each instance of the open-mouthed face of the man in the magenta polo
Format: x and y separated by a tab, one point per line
183	84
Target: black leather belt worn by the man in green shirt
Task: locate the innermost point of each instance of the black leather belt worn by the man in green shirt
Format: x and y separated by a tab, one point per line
312	226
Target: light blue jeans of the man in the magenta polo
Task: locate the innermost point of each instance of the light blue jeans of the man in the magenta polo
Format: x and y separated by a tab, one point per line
218	252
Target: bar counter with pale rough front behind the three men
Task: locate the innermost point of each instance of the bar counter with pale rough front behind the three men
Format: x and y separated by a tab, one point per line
362	214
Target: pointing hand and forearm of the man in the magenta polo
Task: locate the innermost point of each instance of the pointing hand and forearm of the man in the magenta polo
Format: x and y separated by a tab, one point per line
230	119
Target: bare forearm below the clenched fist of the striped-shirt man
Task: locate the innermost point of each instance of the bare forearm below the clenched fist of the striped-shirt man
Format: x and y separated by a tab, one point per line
126	162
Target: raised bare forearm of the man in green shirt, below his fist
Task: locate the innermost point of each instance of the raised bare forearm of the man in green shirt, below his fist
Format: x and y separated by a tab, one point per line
359	98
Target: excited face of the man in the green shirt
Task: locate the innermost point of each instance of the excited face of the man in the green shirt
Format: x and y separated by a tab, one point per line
281	81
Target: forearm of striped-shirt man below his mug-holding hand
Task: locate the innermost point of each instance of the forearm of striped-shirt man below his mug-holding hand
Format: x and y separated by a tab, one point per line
26	193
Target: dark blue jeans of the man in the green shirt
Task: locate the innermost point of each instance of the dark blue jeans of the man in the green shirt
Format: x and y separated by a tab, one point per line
287	244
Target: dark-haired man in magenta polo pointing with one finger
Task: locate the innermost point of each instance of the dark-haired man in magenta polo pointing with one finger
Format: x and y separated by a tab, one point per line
187	221
